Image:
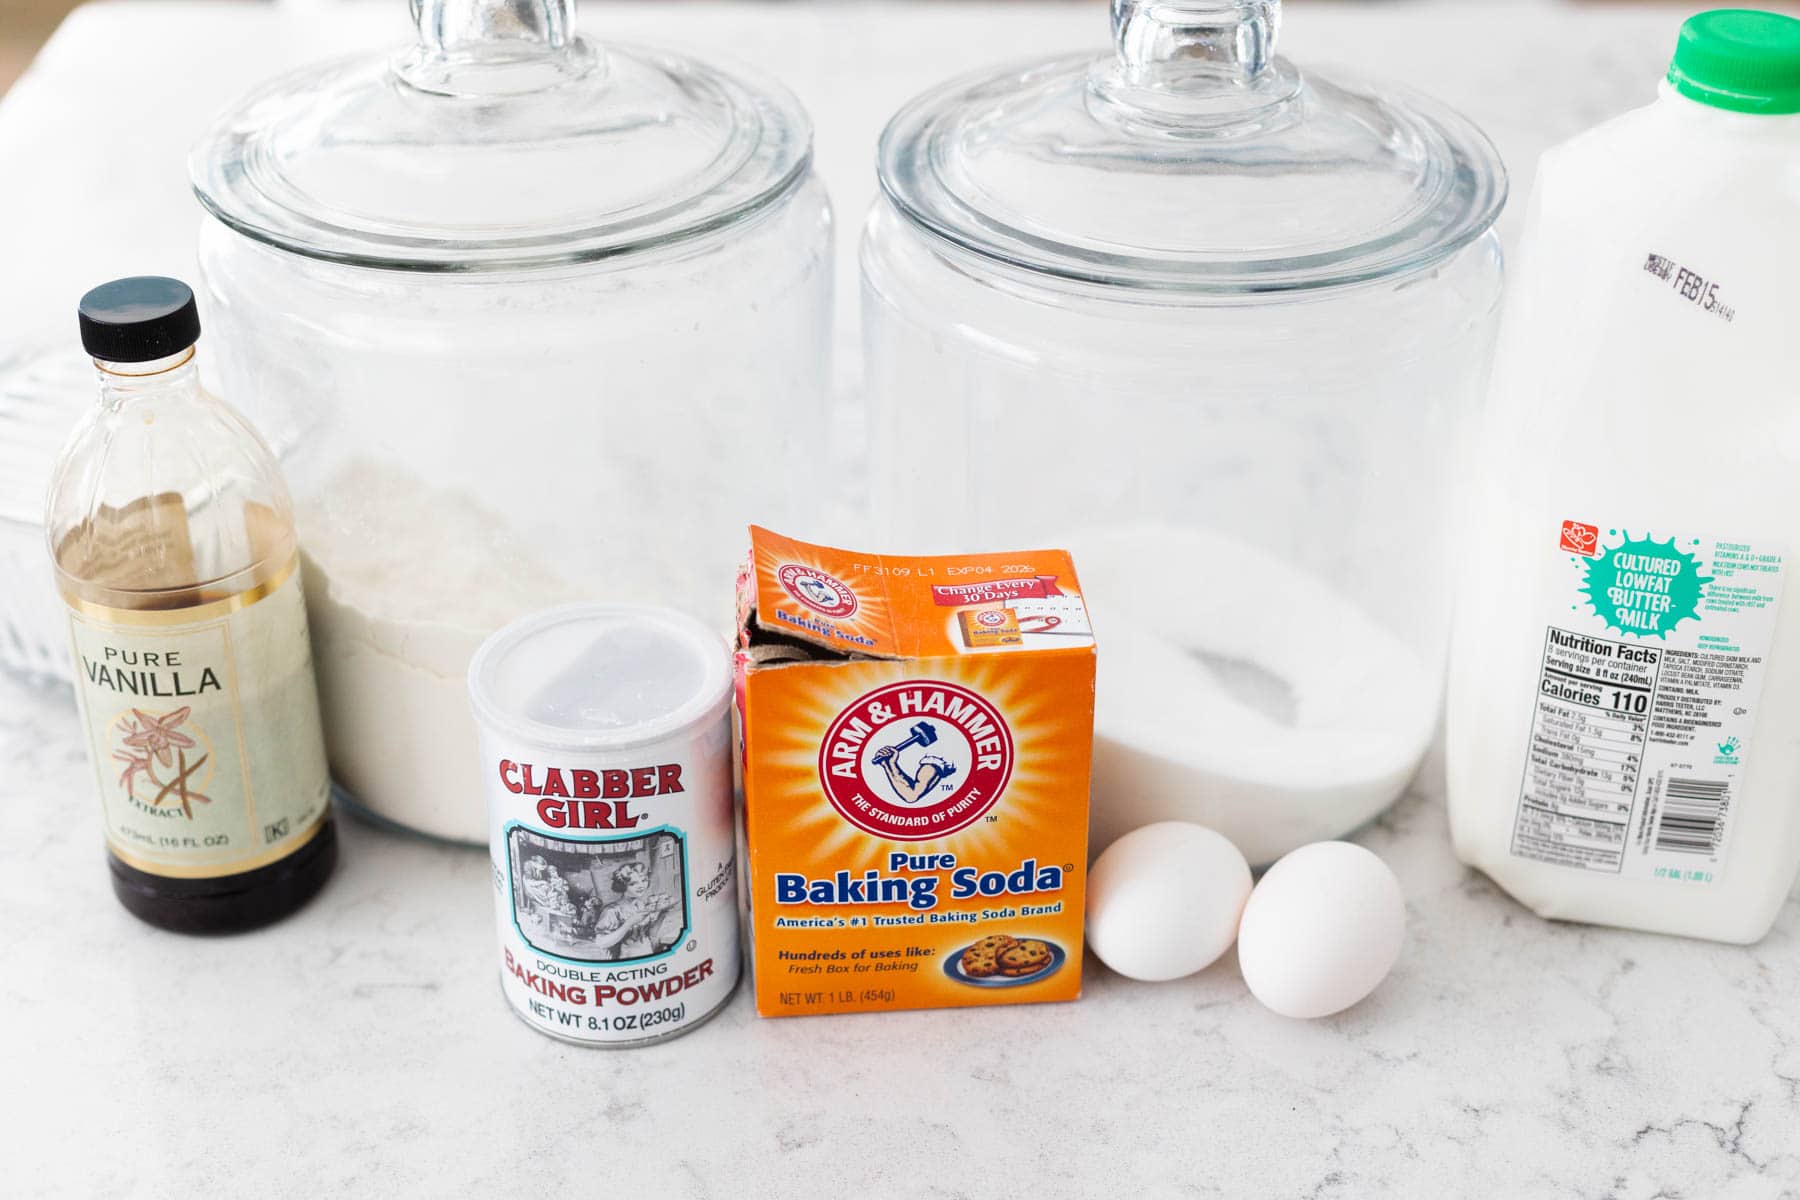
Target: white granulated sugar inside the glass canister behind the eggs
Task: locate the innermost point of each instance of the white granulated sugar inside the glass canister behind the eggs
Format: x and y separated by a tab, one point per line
1176	740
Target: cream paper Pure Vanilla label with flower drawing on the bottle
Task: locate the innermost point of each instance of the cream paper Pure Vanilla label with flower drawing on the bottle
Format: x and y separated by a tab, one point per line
204	730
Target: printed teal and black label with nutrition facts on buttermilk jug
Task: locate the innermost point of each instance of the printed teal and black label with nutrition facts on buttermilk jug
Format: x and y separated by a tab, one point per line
1646	695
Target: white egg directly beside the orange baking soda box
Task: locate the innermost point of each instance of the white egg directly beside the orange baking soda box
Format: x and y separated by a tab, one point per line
1164	900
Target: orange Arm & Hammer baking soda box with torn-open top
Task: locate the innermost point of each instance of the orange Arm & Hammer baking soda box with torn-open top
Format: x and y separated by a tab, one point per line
917	739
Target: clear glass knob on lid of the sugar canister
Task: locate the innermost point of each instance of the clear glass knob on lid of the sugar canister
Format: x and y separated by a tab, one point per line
1196	67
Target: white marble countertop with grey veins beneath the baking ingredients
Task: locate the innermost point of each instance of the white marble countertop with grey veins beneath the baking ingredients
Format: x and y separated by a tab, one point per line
363	1046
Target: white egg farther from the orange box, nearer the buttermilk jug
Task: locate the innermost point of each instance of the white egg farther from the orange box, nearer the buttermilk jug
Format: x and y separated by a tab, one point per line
1322	929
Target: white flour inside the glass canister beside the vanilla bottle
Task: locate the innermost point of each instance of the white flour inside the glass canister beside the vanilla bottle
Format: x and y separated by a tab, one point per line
397	613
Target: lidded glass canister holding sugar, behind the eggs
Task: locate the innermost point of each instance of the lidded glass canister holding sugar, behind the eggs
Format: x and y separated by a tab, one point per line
1218	327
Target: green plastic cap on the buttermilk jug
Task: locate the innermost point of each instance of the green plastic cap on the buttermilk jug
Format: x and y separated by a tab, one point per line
1741	60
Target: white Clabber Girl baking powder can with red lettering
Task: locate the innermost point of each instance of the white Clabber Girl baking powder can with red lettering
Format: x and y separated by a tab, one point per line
606	748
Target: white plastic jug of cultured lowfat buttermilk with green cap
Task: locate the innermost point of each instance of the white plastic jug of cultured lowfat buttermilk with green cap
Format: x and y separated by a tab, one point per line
1624	719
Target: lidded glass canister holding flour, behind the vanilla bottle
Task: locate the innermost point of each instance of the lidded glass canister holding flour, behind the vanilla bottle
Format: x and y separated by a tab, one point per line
544	321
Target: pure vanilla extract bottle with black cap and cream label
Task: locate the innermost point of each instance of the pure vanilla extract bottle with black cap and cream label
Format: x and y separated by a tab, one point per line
174	542
